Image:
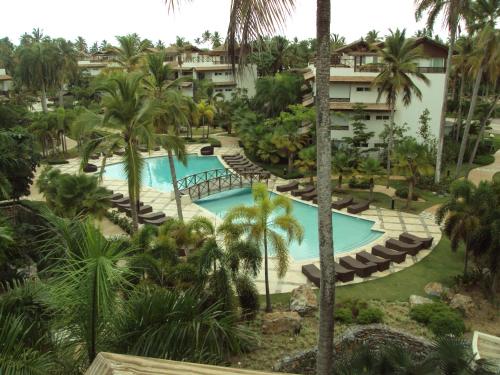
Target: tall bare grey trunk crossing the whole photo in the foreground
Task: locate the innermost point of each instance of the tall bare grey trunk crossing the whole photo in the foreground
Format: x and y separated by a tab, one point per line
324	360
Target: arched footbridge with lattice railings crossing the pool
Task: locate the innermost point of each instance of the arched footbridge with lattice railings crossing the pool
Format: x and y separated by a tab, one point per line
203	184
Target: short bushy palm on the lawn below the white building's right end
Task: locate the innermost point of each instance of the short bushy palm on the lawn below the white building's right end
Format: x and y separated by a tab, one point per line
412	159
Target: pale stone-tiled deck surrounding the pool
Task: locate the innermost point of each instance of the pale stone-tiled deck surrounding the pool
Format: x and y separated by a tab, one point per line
392	223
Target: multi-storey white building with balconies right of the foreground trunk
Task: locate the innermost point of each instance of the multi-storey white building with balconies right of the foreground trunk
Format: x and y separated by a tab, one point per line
352	72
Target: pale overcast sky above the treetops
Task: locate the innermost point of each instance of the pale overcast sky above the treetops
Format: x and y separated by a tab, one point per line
96	20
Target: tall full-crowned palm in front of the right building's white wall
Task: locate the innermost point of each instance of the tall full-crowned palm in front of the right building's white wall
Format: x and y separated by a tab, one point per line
400	58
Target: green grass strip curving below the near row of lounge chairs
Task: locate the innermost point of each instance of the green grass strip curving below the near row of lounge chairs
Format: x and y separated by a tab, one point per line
440	265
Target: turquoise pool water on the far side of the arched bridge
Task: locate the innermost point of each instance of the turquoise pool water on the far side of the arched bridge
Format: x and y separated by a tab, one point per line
156	173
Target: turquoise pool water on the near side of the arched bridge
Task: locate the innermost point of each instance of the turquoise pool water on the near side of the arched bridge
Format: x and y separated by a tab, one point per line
348	232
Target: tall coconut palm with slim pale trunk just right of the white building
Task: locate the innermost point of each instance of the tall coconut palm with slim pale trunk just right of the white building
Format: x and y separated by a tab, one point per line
453	11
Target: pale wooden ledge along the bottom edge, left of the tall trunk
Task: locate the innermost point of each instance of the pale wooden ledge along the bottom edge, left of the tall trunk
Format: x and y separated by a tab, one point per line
121	364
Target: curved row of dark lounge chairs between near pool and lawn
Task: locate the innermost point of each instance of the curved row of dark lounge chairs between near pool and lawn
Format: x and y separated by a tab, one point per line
365	263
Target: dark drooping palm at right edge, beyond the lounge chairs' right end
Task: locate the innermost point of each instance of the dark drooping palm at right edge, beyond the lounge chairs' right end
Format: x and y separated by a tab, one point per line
463	212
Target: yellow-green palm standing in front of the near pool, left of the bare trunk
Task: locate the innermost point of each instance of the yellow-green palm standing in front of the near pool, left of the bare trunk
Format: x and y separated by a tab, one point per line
264	223
